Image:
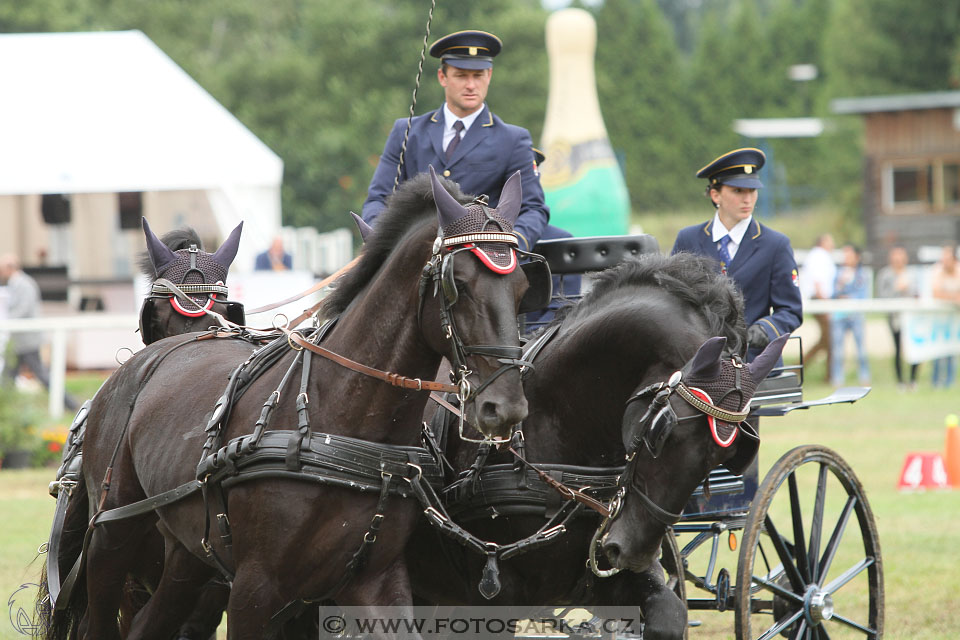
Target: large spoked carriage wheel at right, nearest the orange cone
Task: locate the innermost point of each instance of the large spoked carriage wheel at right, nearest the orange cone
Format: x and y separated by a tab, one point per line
807	569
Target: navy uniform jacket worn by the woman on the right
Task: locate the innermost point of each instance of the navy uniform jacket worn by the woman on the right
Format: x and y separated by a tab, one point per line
764	270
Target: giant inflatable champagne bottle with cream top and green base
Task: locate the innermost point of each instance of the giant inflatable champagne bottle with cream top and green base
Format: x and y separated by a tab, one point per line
582	181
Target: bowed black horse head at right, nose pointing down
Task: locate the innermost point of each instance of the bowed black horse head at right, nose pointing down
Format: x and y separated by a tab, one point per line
675	431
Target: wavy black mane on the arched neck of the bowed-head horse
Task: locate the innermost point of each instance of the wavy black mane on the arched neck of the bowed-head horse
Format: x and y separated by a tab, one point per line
691	278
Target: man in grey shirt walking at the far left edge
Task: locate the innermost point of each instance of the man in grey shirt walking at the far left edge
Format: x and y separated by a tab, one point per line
23	296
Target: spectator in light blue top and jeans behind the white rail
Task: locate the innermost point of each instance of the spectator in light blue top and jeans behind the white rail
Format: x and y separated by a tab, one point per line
851	283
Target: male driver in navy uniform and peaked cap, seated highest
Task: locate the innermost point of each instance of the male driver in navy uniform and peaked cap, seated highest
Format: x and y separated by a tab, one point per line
464	140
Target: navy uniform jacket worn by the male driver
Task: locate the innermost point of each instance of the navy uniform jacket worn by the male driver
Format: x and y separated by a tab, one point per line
490	152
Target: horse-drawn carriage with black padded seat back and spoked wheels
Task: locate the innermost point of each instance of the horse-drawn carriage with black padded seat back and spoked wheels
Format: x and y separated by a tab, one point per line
809	562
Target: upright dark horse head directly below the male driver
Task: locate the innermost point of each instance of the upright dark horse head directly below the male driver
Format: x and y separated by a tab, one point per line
475	285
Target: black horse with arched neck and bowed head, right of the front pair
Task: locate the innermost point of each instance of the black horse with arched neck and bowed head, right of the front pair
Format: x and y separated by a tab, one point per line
641	322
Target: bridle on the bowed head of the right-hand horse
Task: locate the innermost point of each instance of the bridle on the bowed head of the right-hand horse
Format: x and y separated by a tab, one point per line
654	428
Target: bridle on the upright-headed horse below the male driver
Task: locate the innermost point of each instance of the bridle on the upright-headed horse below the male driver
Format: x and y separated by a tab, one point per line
438	274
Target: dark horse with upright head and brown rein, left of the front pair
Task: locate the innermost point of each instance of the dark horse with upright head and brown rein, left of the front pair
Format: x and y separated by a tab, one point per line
290	534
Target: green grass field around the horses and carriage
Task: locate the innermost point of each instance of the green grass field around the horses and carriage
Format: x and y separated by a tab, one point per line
919	532
